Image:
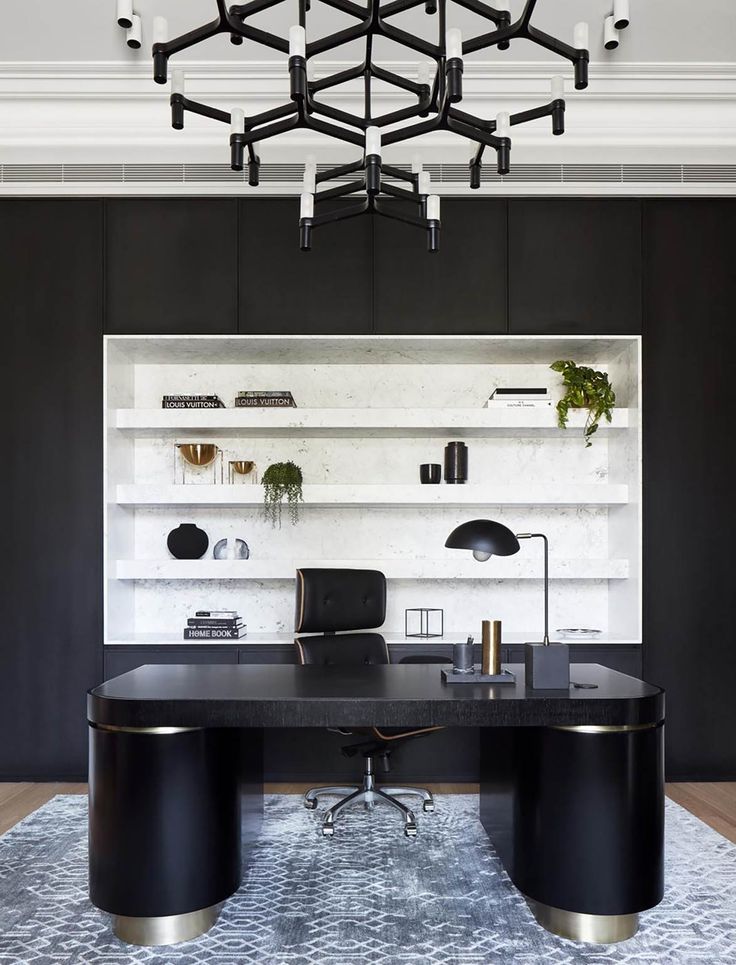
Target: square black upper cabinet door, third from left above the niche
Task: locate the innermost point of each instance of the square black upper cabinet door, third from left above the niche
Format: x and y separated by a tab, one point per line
459	290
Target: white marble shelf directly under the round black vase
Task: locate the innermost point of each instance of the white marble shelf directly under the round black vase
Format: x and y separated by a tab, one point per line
501	568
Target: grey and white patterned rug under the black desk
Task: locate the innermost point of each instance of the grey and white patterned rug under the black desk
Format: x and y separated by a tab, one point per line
370	896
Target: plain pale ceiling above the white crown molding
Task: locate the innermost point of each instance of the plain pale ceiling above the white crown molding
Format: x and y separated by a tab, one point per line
661	31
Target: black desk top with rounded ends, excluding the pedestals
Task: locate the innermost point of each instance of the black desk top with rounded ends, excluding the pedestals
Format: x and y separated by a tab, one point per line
386	696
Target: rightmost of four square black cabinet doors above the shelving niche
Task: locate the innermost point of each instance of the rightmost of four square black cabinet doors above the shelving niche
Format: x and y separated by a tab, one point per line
575	266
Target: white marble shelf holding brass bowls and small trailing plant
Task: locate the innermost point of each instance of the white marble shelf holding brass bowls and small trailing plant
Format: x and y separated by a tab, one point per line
569	494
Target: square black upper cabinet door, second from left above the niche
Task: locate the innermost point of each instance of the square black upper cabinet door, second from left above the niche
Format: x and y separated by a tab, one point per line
286	291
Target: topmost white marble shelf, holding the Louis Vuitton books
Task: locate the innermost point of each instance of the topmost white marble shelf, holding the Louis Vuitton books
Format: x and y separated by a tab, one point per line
352	422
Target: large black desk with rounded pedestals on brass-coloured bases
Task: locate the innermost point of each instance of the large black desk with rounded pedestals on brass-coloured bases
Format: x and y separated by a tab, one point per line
572	784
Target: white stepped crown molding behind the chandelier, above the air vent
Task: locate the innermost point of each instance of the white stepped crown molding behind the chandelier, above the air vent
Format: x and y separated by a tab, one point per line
97	112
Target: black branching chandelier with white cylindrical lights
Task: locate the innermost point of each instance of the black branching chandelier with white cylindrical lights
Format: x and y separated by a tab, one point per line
436	92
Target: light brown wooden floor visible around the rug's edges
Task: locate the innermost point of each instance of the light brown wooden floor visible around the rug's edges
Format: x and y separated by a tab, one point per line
713	803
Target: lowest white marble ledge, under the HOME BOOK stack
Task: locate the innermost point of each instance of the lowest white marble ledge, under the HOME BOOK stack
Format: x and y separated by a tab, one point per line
391	637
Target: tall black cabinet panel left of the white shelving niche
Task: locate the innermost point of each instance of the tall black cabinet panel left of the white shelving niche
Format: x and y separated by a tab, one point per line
51	653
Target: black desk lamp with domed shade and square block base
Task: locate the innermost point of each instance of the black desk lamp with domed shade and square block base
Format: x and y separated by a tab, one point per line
547	664
